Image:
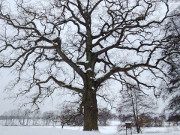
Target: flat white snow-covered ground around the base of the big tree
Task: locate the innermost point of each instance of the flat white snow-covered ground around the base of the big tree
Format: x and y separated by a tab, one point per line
109	130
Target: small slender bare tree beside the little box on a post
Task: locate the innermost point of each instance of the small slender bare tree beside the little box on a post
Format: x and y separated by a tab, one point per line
135	106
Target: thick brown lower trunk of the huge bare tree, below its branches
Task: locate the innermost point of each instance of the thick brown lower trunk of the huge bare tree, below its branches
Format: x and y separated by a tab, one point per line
90	111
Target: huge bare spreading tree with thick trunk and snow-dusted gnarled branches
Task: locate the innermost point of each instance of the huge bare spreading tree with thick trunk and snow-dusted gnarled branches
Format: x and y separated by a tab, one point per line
79	46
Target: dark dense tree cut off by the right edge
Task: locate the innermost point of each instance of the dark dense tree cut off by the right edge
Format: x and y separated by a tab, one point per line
172	53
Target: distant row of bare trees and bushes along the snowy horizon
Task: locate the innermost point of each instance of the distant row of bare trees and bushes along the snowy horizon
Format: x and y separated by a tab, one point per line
67	117
